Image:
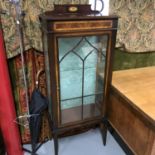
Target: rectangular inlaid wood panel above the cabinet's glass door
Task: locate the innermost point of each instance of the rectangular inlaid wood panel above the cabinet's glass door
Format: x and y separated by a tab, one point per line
81	25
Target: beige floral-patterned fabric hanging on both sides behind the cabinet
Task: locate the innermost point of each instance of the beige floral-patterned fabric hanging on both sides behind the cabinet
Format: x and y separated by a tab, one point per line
136	24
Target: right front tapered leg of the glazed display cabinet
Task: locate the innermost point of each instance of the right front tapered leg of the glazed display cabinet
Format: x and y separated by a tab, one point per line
103	128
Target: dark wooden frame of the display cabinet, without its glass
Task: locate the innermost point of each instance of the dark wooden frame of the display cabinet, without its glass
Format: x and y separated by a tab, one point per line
56	24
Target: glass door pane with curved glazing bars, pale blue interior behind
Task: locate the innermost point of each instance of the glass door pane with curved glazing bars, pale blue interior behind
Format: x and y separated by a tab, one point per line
81	70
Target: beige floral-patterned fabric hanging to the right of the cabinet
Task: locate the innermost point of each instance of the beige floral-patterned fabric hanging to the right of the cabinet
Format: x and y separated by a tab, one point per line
136	24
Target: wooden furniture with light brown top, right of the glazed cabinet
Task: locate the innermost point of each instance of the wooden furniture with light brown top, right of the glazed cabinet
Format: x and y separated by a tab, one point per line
131	108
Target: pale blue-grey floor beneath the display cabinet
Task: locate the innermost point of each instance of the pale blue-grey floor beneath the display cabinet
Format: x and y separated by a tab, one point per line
88	143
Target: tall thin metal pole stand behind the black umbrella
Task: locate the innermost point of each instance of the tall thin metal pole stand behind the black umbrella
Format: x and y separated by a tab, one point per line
24	119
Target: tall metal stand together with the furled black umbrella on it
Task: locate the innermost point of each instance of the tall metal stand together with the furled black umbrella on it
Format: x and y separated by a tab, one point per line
38	102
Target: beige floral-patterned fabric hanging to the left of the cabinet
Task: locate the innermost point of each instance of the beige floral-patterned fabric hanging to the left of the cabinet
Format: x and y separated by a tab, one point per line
31	24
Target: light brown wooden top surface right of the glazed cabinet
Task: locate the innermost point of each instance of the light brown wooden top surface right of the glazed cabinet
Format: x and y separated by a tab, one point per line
138	85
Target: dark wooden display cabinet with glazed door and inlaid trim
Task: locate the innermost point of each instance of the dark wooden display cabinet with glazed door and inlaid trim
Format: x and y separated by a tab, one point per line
78	45
